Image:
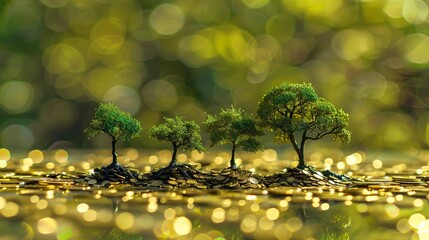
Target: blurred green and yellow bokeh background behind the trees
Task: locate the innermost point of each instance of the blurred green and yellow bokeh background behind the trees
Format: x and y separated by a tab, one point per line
60	58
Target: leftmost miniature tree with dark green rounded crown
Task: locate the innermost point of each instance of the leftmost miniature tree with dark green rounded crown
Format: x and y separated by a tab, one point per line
119	125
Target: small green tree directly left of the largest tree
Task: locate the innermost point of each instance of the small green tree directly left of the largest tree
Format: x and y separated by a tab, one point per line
235	127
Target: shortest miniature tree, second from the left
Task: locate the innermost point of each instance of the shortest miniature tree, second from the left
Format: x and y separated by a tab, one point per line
180	133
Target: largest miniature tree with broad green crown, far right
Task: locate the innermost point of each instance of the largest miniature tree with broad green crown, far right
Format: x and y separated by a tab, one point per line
296	114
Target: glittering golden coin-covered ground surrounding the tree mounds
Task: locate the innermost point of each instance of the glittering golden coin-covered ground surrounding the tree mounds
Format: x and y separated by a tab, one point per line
39	200
